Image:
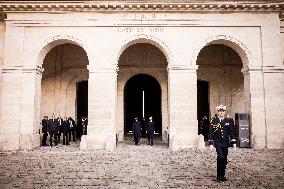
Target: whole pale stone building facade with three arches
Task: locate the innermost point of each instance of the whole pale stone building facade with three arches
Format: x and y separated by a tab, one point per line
233	48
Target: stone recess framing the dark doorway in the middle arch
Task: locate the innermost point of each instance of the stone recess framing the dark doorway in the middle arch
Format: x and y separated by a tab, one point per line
142	57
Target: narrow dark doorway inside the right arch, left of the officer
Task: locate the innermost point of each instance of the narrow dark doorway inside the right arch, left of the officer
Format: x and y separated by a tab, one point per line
202	99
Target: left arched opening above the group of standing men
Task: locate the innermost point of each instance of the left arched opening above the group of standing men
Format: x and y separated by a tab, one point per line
64	66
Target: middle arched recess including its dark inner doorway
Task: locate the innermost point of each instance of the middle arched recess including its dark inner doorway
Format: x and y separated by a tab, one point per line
143	62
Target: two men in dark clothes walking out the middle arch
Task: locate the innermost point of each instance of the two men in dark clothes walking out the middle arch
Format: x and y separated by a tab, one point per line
149	127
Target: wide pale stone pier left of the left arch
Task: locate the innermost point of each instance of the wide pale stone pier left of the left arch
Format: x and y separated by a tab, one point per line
20	108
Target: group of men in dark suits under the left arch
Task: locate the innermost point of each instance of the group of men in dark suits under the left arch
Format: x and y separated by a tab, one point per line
54	127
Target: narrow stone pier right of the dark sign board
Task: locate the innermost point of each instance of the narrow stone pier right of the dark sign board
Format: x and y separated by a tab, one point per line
254	103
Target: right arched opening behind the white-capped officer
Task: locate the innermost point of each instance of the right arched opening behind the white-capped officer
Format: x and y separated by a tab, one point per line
219	68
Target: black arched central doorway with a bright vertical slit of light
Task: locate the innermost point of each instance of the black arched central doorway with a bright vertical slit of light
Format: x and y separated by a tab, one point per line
133	101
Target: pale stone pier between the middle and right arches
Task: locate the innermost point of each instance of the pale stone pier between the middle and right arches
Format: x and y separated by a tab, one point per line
182	87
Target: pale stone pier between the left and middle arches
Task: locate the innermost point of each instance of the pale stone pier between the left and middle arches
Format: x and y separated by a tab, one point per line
101	109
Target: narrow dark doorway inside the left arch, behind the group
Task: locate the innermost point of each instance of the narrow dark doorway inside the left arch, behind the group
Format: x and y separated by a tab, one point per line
82	99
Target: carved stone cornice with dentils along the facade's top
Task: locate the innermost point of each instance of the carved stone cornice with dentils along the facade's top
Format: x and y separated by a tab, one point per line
88	6
